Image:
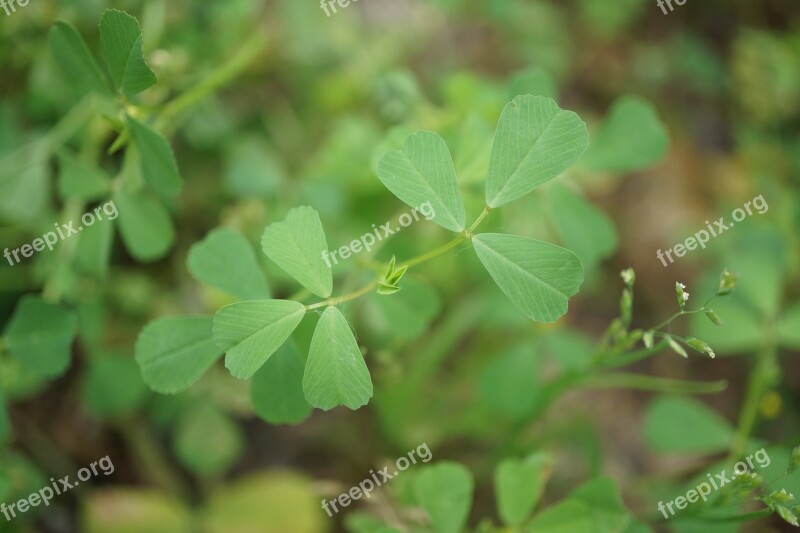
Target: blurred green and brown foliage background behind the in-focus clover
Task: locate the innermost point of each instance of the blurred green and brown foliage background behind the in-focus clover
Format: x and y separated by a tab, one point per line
691	114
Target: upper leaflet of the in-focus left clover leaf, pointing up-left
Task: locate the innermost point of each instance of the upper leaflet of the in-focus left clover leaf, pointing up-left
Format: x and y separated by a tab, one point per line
296	245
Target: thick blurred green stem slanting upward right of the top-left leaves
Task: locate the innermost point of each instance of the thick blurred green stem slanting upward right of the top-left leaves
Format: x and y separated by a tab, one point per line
226	73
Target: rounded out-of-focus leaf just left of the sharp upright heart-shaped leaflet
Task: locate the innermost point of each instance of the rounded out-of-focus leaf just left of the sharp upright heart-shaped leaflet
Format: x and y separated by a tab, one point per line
225	260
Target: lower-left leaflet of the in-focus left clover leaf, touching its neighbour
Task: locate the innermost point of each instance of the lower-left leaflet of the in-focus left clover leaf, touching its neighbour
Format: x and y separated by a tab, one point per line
250	332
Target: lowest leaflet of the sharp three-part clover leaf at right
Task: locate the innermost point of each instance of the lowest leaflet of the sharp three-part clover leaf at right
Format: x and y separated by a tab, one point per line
538	277
